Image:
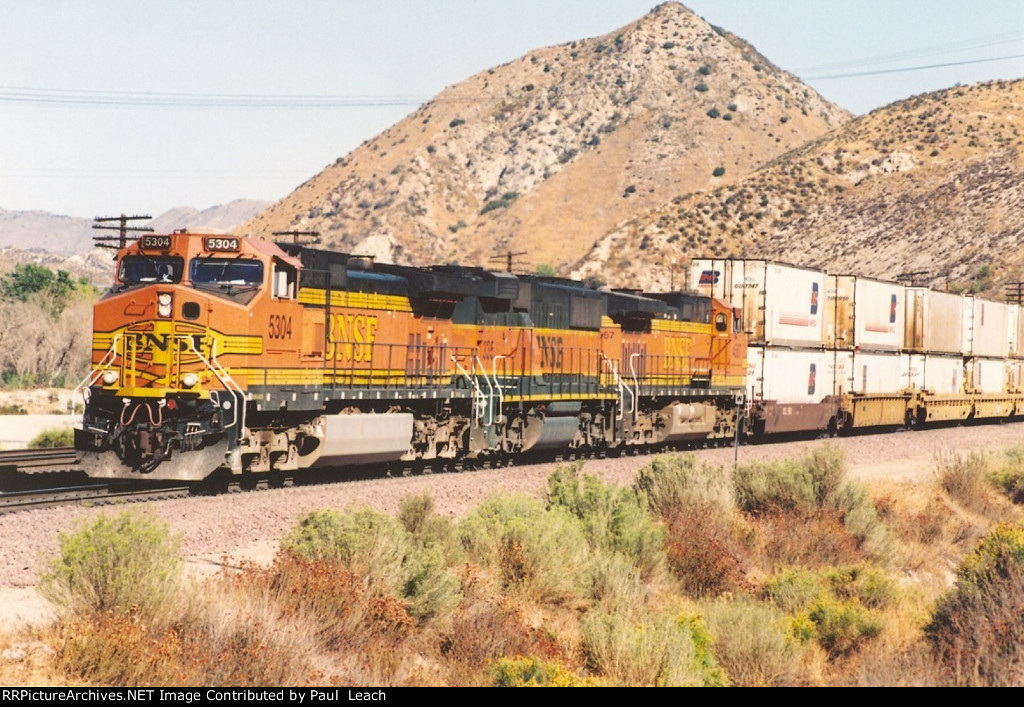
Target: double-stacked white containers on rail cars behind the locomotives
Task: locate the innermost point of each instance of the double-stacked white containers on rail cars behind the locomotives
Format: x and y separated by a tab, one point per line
848	351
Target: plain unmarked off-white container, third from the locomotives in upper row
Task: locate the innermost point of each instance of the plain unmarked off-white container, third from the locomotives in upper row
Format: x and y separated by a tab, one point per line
934	322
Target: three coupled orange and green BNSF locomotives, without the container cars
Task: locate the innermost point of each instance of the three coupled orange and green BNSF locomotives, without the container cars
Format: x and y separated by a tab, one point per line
222	355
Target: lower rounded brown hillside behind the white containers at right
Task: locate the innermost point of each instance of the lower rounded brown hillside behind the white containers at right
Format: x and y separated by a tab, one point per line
934	183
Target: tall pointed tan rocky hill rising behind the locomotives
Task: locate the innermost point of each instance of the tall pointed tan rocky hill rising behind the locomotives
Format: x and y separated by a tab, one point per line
547	154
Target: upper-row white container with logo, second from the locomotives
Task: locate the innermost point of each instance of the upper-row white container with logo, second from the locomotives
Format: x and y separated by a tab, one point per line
866	314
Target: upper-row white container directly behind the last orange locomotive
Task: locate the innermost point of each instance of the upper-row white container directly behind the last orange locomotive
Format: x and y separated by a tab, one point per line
783	305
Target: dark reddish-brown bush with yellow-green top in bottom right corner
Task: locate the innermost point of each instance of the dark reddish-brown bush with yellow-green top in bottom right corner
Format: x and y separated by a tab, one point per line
977	631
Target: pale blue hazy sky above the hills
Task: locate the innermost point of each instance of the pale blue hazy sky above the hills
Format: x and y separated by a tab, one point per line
142	106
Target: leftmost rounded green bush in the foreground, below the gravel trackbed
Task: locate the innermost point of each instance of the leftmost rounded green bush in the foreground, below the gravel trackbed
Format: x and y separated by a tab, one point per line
126	564
